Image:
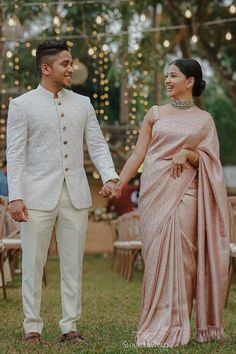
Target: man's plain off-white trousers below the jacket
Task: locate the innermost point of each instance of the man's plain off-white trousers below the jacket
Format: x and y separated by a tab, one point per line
70	226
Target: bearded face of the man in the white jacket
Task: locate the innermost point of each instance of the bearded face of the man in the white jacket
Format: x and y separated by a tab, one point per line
59	70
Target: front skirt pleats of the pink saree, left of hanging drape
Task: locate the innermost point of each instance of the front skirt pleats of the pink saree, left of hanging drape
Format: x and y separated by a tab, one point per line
166	304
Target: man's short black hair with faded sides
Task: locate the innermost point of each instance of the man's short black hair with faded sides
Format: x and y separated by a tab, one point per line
48	49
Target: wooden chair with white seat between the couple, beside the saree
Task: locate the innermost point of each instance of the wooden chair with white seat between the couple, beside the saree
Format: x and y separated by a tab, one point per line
127	244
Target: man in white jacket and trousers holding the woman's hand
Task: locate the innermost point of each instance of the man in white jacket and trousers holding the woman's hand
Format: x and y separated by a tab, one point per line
48	185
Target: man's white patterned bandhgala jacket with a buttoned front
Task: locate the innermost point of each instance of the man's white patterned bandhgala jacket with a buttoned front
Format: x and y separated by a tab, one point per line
45	146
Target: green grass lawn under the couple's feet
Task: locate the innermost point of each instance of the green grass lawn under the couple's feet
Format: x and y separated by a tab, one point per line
109	319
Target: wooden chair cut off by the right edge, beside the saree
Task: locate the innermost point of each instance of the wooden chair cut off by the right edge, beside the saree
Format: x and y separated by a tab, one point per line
232	214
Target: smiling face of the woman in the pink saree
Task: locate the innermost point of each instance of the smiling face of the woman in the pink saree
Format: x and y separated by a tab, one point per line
177	85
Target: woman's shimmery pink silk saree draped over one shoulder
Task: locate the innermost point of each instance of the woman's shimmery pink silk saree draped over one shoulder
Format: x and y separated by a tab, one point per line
184	232
